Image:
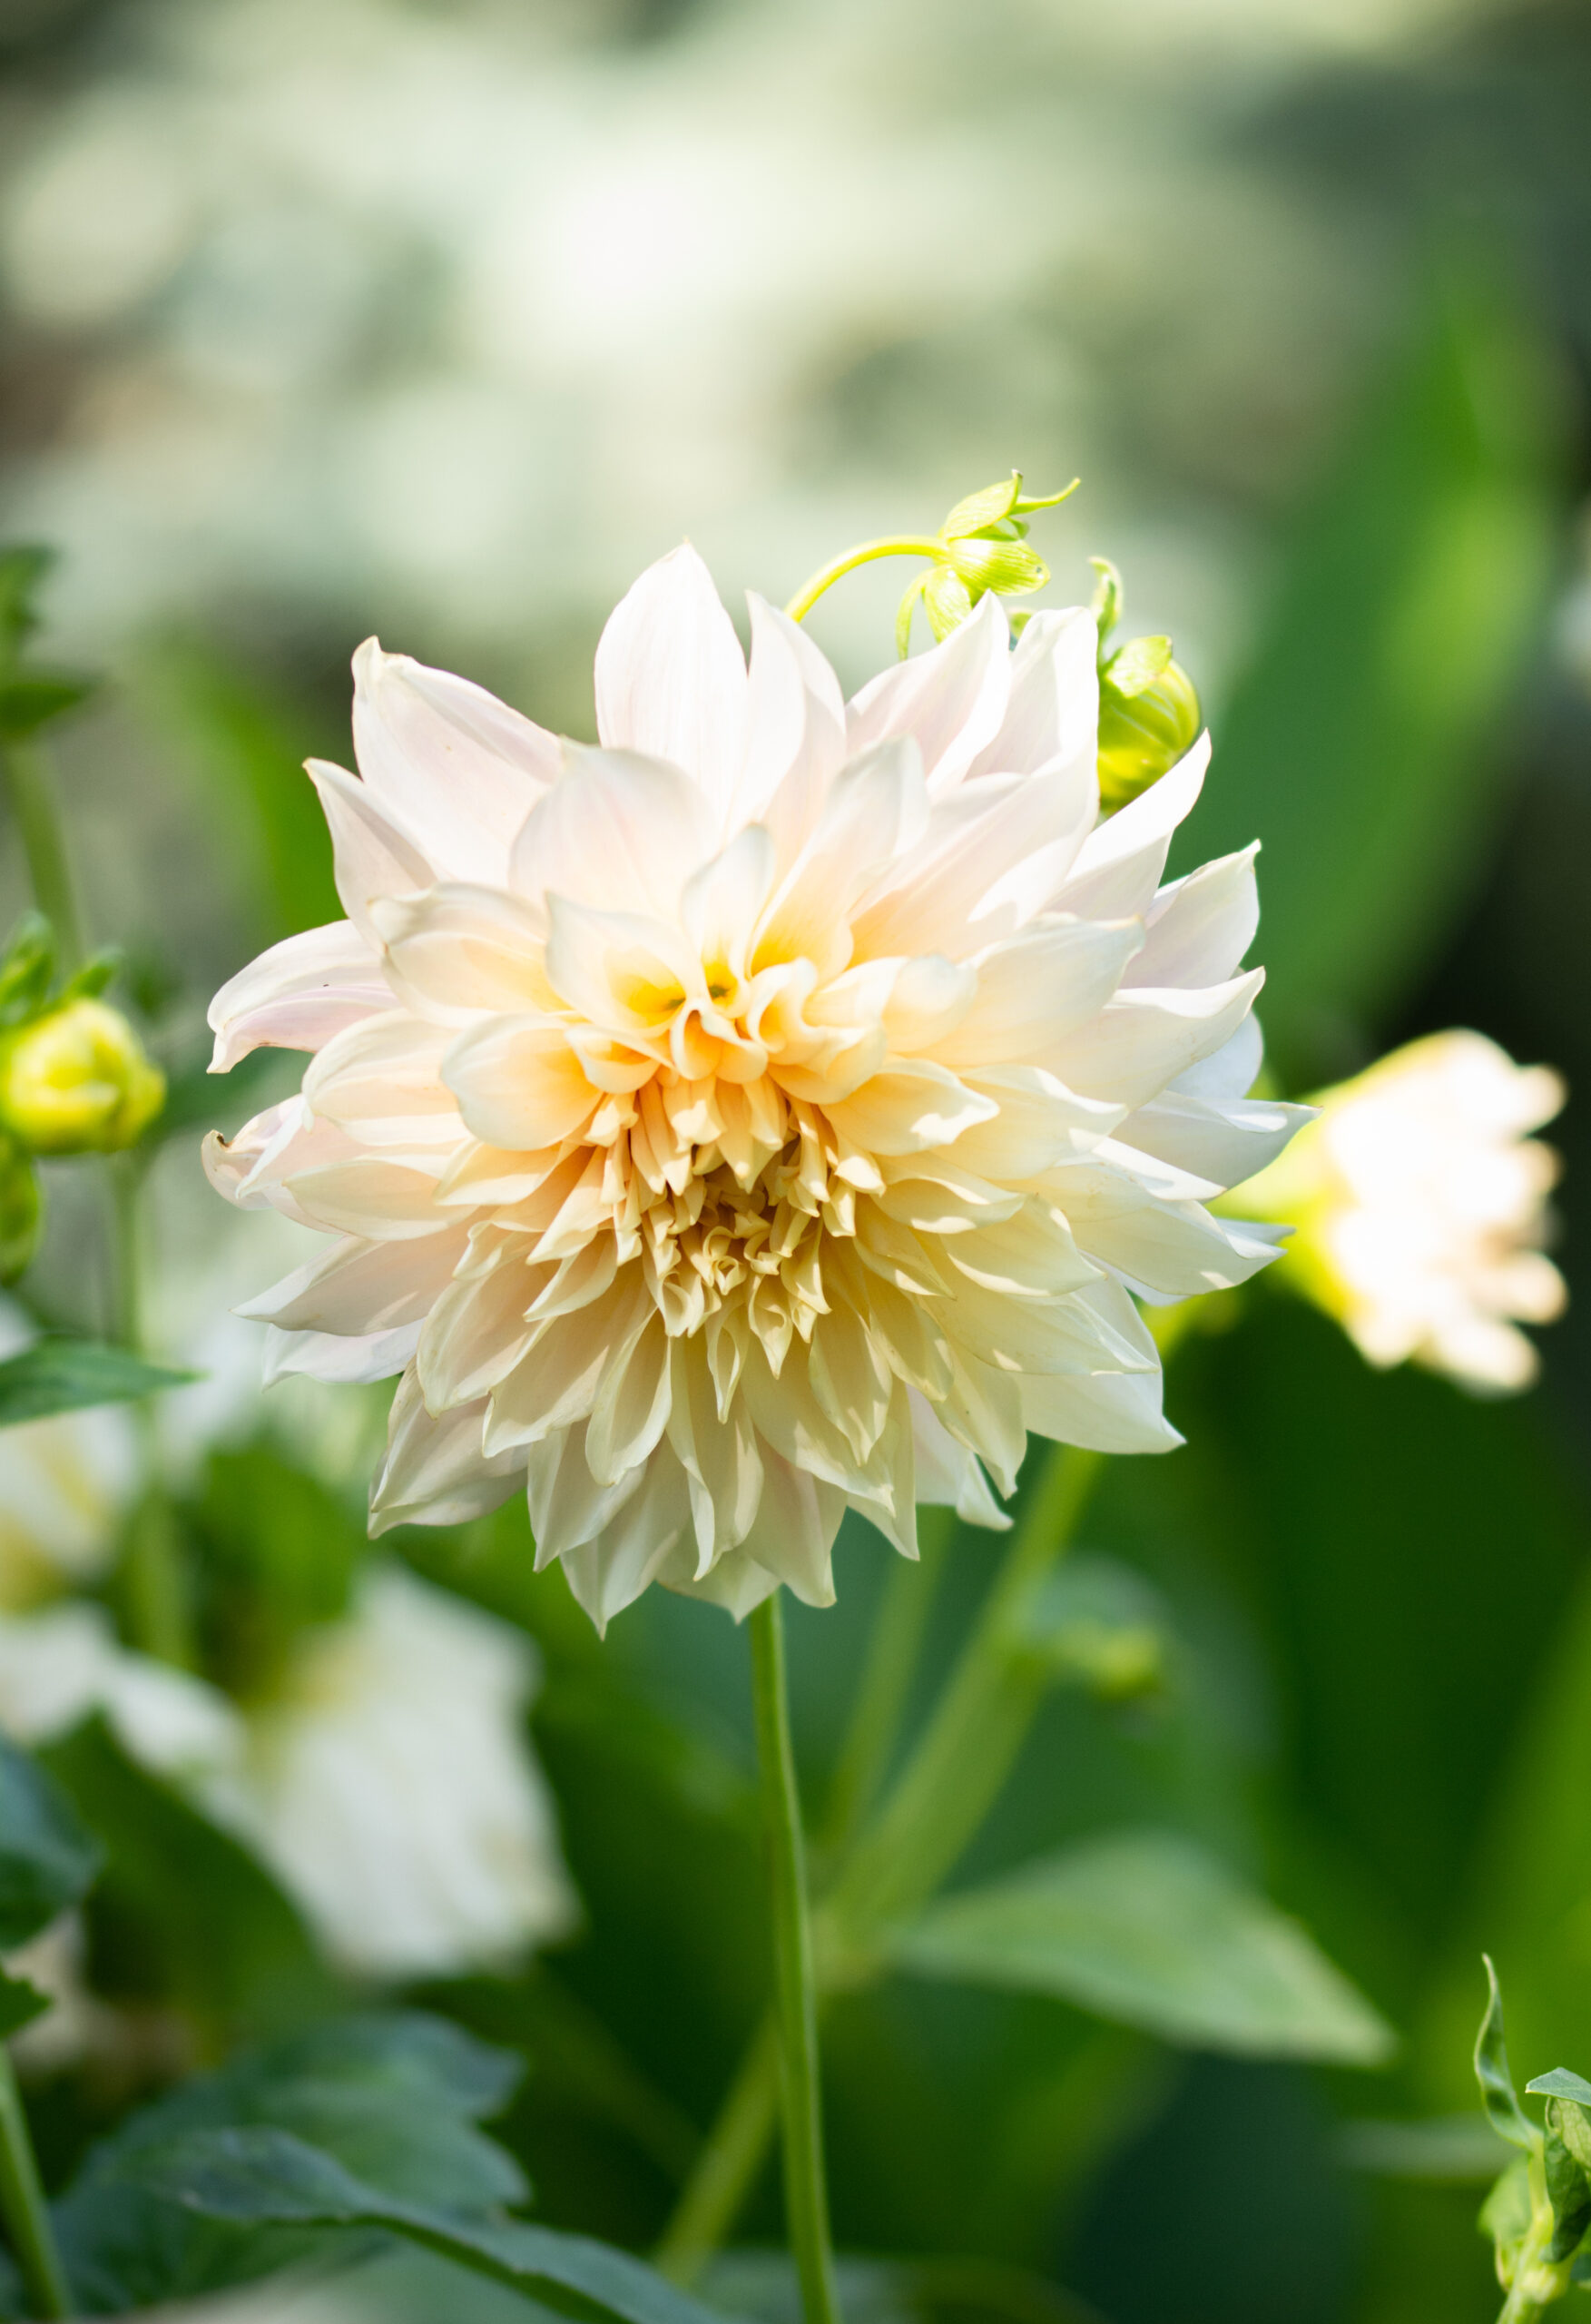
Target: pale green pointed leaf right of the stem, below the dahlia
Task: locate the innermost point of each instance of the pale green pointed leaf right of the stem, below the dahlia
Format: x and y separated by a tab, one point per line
1151	1930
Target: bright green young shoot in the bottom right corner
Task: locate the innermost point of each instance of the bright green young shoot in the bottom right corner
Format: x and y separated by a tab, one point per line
1541	2209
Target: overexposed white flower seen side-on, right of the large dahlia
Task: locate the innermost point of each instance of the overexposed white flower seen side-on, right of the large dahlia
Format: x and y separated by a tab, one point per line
1420	1207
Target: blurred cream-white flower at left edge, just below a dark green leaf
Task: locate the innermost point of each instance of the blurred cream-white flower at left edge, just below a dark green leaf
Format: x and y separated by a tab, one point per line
64	1491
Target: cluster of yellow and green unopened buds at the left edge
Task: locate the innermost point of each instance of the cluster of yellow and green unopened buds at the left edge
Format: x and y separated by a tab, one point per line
73	1079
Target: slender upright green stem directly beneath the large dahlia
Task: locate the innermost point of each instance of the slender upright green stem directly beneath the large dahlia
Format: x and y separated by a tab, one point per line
795	1986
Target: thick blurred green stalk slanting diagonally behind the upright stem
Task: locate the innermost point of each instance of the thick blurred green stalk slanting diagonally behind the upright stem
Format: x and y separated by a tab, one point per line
972	1744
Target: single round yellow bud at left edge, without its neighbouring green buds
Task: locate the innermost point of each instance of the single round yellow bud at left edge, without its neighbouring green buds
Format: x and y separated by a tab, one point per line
78	1082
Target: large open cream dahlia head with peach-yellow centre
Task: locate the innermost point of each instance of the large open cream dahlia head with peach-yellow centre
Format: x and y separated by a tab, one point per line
765	1112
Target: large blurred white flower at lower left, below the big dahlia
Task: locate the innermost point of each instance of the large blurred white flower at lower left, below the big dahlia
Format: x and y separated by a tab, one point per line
391	1788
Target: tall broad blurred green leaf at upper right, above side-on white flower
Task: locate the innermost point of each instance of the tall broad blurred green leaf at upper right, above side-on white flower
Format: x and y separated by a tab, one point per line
1360	740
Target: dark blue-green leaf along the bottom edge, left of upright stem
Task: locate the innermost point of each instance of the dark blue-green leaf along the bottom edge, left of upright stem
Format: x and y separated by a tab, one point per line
261	2176
